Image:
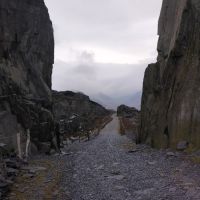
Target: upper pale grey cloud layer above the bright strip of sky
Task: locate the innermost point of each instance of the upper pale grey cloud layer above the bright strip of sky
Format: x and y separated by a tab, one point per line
120	24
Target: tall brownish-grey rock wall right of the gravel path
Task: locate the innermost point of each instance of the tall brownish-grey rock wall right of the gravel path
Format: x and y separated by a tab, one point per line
170	109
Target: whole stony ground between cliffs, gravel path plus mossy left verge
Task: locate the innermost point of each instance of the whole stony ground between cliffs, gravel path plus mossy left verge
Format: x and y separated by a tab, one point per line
112	167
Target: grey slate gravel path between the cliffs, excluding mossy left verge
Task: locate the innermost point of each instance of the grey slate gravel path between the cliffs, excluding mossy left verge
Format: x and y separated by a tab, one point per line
105	169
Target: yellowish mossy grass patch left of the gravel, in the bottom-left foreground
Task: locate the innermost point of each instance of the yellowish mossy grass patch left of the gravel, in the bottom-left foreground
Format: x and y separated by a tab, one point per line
37	183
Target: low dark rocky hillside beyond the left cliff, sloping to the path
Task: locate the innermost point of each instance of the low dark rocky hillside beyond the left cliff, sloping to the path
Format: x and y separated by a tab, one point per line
77	111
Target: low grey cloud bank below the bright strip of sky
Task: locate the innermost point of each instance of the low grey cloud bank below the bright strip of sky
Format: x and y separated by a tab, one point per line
121	87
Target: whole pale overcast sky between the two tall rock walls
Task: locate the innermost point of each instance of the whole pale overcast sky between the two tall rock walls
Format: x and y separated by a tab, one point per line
102	47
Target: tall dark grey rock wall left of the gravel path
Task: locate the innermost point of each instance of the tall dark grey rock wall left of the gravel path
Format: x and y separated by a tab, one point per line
26	58
